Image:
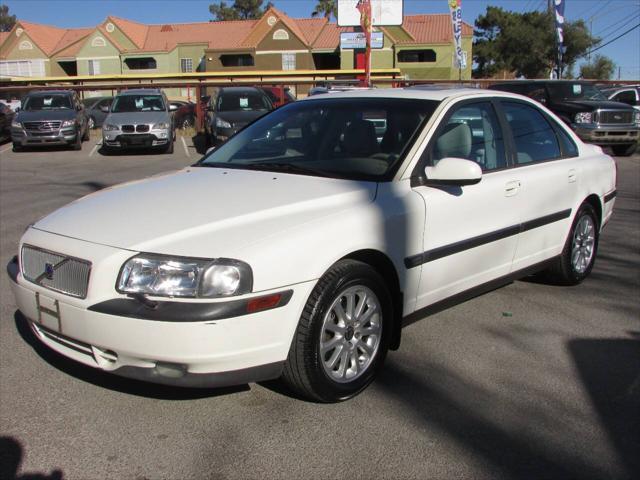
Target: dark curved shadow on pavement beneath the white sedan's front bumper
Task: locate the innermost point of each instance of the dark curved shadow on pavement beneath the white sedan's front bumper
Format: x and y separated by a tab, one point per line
111	381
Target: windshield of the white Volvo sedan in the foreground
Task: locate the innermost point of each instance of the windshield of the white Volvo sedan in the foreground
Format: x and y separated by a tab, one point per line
355	138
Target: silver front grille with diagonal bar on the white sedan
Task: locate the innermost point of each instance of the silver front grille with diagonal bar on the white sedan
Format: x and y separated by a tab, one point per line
56	271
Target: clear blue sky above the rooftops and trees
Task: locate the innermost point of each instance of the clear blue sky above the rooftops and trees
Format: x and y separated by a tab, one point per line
608	18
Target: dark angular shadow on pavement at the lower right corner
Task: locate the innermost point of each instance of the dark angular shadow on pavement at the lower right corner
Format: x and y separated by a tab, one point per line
610	372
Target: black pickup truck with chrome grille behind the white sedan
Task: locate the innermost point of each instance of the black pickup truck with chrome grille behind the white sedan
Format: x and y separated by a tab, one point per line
583	106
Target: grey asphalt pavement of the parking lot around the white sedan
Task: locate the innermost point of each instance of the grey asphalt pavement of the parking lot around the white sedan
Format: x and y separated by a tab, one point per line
528	381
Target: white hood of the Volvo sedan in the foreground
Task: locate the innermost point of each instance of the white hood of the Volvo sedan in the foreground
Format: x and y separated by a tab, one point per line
203	207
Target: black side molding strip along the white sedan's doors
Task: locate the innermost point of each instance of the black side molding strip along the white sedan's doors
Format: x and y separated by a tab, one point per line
461	246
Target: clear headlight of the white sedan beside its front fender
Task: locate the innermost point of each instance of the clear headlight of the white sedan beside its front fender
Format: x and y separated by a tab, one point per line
165	276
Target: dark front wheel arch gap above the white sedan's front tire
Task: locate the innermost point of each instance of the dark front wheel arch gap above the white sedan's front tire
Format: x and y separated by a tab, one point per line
387	270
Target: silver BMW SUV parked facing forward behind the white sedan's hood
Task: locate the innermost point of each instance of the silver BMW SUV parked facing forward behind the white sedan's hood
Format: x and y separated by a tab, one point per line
139	118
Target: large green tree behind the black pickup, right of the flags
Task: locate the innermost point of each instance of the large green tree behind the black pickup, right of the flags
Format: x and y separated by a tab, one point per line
525	43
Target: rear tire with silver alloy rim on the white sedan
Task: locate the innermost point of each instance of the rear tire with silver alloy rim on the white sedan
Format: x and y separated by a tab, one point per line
579	253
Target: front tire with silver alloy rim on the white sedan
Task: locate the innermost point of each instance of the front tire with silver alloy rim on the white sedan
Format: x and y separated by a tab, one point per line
342	336
